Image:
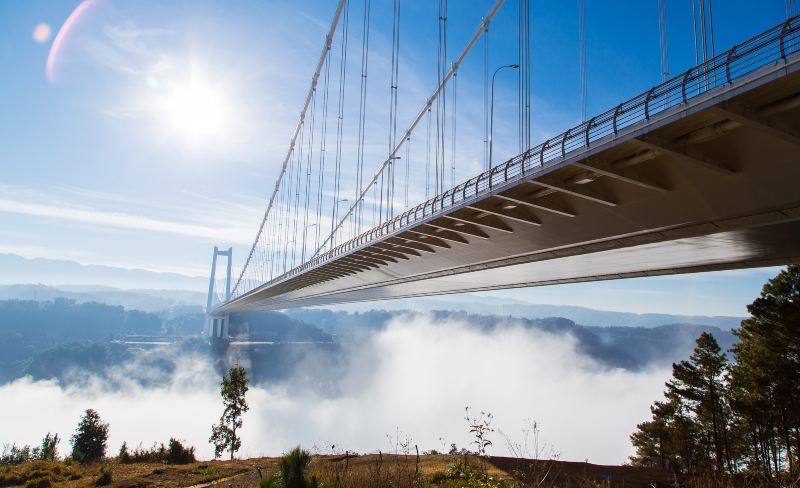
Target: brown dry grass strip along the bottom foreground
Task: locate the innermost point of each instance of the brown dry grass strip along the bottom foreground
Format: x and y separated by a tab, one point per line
362	471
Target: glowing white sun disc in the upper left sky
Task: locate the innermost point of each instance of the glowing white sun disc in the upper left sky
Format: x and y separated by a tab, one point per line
197	111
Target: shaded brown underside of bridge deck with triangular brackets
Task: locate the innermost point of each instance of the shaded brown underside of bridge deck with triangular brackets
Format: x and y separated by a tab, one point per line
711	185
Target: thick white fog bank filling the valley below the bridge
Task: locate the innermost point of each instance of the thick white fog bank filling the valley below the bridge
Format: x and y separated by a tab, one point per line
415	375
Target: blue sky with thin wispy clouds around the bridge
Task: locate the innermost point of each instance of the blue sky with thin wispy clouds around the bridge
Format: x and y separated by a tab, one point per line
98	165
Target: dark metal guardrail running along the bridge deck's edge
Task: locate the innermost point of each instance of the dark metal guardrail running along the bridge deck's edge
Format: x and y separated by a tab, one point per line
770	47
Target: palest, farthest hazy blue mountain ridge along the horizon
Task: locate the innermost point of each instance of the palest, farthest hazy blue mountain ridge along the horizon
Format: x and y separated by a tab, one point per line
152	291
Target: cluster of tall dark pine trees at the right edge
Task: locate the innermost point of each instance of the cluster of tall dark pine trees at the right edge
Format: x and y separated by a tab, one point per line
737	417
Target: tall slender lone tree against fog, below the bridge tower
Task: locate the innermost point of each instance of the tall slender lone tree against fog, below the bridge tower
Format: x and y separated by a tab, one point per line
233	388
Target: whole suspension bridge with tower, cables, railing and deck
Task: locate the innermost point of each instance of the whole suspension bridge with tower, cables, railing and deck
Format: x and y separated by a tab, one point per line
697	173
